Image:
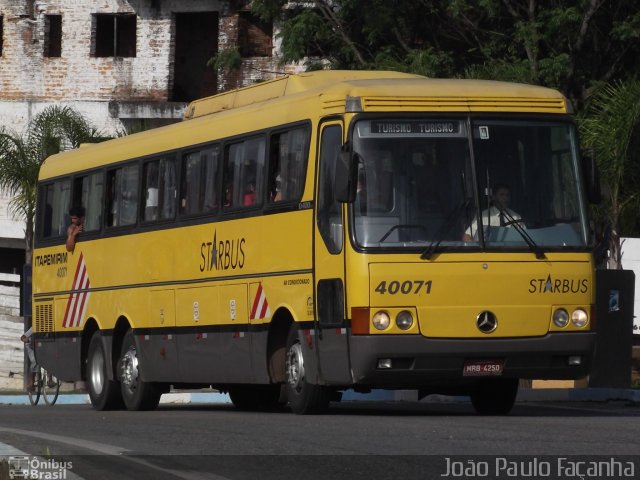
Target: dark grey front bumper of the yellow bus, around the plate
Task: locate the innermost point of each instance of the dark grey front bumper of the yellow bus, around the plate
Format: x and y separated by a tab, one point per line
413	361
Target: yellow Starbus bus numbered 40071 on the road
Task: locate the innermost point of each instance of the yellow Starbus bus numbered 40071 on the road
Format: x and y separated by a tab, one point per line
322	232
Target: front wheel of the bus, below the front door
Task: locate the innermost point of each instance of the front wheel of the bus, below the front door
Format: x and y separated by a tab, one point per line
304	398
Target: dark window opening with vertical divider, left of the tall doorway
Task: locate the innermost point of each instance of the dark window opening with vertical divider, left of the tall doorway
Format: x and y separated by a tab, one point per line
114	35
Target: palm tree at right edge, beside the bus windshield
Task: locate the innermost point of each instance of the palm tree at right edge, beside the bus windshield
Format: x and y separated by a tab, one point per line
611	130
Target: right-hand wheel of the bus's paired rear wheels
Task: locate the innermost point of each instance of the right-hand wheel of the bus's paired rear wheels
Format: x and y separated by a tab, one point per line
136	393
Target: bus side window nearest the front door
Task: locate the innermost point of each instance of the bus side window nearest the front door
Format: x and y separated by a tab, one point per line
287	165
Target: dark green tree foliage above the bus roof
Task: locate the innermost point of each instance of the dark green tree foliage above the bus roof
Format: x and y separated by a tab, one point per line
572	46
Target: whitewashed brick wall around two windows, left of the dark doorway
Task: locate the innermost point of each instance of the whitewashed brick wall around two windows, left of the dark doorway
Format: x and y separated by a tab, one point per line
76	74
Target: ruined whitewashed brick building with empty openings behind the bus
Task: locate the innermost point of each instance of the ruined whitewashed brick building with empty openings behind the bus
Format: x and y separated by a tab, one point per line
125	65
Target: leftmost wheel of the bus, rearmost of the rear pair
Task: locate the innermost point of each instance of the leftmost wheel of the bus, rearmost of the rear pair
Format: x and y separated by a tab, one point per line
103	393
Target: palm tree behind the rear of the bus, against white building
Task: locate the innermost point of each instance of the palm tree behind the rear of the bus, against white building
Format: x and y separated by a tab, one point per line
52	130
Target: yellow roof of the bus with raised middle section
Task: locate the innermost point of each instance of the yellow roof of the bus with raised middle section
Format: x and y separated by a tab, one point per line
298	97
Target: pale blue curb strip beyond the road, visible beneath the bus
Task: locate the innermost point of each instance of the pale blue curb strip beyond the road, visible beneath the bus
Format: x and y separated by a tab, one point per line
524	395
